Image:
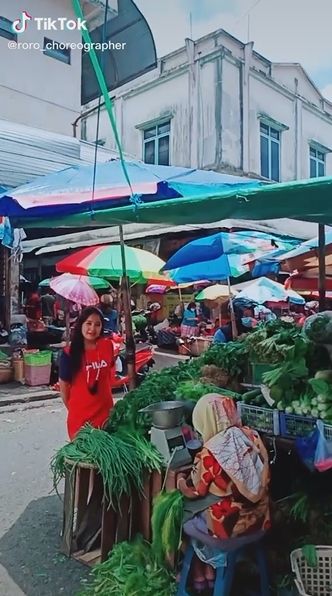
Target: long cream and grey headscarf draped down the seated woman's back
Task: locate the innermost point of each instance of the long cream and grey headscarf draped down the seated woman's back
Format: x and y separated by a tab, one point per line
240	452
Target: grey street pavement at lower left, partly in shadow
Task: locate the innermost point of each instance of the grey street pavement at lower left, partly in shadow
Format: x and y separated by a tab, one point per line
30	512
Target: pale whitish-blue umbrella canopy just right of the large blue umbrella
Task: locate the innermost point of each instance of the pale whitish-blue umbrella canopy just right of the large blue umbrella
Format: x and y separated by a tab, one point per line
265	290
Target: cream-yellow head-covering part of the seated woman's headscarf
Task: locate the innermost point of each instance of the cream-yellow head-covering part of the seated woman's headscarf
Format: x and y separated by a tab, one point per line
213	414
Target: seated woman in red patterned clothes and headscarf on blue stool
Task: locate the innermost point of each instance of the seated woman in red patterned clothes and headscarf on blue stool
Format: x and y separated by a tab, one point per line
227	492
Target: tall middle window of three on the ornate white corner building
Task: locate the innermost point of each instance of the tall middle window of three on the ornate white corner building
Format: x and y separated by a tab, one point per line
270	152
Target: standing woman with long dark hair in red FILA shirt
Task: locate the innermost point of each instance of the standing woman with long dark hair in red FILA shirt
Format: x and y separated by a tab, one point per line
86	372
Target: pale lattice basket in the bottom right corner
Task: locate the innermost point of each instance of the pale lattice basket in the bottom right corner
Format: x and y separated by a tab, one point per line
313	581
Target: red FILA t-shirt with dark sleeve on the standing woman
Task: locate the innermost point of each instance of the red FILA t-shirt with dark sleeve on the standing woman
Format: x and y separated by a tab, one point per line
83	405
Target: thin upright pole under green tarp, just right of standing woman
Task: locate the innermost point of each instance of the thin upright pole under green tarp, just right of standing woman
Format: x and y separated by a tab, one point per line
130	342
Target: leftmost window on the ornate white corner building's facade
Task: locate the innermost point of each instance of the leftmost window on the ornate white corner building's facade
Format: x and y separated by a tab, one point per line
156	144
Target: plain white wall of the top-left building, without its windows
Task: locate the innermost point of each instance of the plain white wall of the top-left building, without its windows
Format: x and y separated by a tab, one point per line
36	89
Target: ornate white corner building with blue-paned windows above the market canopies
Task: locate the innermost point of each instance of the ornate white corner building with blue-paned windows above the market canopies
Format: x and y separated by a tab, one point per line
218	104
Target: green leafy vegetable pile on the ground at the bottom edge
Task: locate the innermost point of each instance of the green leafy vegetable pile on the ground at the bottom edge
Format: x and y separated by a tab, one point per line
131	570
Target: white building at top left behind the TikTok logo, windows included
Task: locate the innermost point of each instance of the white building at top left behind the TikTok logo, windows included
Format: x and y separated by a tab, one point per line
40	80
